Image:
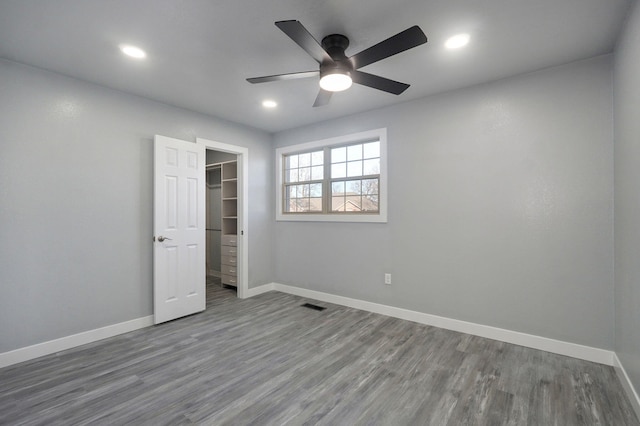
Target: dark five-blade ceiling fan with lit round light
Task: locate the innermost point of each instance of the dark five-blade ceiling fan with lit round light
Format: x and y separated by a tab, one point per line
337	71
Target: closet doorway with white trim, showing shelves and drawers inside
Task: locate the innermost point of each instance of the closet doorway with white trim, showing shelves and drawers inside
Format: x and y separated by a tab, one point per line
226	215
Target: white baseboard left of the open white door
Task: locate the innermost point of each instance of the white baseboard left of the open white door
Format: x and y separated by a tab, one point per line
68	342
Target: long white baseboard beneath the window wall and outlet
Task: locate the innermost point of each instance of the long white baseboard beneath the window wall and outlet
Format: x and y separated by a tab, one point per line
574	350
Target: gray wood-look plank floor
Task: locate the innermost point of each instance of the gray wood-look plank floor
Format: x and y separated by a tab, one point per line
267	360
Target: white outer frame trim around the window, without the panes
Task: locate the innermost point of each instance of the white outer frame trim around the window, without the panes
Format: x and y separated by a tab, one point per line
379	217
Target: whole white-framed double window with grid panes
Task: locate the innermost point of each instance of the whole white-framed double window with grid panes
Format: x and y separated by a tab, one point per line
339	179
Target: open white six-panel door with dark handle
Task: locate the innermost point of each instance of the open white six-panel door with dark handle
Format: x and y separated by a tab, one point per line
179	229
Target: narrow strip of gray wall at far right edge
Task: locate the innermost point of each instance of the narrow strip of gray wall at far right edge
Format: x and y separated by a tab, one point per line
627	197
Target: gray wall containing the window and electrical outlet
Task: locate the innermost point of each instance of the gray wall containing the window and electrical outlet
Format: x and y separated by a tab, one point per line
500	208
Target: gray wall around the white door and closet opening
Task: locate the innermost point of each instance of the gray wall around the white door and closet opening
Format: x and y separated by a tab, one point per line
76	202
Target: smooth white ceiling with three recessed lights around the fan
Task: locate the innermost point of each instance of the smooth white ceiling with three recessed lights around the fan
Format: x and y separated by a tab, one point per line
201	51
